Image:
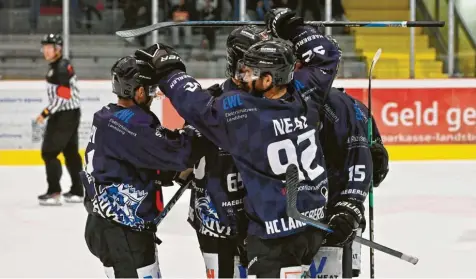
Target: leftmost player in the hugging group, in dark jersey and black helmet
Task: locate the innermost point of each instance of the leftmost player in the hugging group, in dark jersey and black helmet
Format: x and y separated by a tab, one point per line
129	157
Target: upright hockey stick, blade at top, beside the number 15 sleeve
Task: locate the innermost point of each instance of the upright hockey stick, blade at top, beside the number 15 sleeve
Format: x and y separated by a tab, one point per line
370	138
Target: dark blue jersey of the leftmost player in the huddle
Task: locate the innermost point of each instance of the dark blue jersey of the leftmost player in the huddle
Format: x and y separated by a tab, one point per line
128	156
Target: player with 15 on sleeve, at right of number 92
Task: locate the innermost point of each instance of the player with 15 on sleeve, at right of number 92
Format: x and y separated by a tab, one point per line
351	164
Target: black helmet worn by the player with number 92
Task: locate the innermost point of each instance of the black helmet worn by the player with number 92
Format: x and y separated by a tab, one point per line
274	57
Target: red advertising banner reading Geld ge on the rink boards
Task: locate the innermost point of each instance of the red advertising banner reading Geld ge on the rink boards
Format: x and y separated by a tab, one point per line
408	115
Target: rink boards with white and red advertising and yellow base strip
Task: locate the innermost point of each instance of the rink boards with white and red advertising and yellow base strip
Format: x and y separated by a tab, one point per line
418	119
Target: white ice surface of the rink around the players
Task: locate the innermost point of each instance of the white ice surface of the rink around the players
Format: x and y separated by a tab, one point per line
426	209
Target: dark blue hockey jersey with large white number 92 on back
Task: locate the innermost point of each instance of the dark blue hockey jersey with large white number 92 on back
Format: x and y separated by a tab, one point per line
263	136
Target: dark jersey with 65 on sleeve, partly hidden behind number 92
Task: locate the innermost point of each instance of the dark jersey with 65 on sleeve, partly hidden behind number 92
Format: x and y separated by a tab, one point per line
216	202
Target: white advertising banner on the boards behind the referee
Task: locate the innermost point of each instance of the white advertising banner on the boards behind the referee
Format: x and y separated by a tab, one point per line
22	102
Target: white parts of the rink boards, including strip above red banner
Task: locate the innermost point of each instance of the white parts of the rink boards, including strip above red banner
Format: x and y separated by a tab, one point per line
22	101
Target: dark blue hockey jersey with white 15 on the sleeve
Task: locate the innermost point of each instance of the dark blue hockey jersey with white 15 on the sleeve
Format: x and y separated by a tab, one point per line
344	137
